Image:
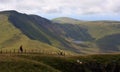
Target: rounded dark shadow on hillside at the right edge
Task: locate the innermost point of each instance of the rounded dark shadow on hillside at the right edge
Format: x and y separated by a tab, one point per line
109	43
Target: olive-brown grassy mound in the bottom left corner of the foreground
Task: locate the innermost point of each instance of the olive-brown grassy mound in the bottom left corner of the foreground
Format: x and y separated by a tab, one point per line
15	64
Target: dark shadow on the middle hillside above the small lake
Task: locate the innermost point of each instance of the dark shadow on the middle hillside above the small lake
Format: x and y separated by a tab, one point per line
74	31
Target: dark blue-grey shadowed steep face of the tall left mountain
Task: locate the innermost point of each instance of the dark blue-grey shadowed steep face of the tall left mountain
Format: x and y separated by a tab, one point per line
27	26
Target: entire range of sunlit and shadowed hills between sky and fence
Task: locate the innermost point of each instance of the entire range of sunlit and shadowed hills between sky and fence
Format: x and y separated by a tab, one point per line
67	34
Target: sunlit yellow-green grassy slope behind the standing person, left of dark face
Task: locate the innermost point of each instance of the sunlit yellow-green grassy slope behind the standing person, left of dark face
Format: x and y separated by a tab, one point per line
12	38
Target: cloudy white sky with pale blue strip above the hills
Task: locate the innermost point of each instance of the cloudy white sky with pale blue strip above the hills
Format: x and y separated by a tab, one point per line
79	9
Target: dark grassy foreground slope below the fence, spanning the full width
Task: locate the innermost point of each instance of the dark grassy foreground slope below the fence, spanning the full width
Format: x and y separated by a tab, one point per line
55	63
